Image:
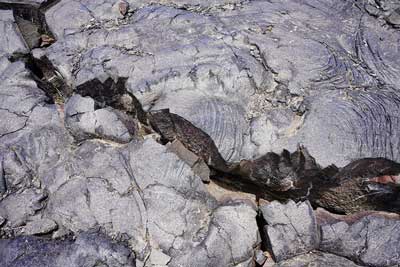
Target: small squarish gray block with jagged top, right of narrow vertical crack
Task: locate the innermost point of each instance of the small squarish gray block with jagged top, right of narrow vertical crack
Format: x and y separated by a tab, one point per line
291	228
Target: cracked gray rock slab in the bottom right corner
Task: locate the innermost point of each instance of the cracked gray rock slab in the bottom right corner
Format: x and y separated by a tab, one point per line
369	238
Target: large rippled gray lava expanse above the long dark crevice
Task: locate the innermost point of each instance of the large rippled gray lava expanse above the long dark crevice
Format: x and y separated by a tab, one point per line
240	70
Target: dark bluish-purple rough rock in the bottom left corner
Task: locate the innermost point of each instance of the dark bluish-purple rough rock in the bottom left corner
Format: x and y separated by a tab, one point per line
89	249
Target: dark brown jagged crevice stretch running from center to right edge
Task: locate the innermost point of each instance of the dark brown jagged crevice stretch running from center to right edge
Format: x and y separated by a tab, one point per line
361	185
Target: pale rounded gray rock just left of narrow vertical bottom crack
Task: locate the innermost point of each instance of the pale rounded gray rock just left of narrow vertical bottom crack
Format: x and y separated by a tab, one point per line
231	226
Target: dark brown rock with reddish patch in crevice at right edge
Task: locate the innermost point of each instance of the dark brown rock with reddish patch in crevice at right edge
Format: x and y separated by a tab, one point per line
365	184
